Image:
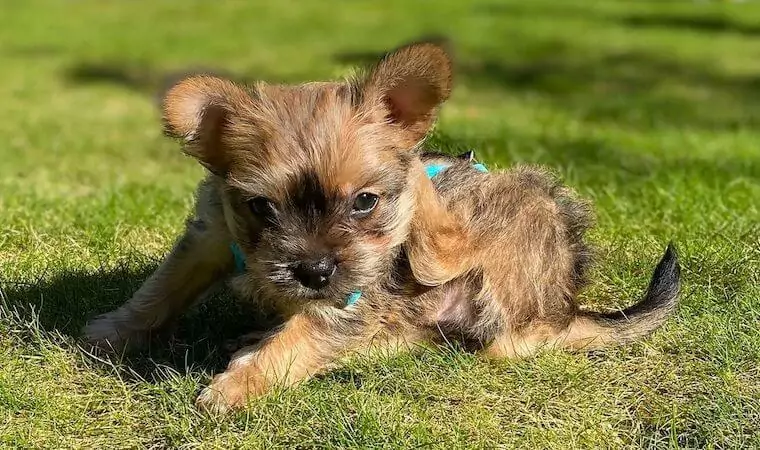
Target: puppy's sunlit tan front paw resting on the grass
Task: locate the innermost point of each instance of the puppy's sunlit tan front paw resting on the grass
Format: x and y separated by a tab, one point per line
229	391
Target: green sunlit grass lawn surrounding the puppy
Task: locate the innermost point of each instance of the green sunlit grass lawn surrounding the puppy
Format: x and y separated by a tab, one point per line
651	109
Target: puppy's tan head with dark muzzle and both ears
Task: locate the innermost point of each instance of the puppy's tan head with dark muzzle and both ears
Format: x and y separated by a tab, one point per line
316	178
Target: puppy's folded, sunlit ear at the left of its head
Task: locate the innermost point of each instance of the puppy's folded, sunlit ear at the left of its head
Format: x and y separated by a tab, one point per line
198	110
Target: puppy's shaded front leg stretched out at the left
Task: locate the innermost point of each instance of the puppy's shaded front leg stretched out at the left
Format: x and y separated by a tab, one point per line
200	257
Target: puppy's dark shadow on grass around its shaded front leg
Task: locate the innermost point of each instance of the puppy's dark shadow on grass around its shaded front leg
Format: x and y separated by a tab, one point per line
65	303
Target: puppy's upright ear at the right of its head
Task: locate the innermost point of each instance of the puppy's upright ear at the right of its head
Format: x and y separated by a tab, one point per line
407	86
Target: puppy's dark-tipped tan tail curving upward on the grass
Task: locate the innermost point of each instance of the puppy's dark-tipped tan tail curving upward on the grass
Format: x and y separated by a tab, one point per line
594	330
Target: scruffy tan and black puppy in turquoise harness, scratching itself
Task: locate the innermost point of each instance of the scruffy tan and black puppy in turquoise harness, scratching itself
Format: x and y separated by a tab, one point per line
321	197
